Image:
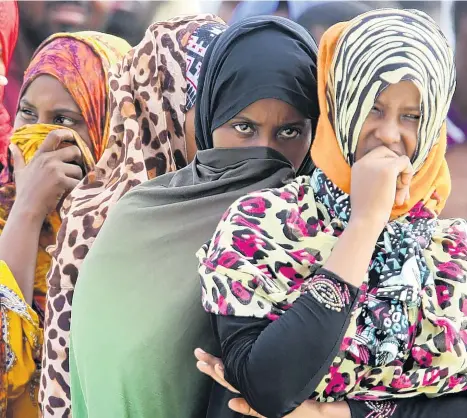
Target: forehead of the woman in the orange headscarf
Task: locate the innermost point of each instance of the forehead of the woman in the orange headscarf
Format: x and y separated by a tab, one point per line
48	93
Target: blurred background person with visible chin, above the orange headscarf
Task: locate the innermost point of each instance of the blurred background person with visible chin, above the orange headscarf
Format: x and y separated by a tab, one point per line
40	19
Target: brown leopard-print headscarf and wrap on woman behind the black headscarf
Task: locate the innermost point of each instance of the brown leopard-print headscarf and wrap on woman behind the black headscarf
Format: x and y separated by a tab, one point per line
147	139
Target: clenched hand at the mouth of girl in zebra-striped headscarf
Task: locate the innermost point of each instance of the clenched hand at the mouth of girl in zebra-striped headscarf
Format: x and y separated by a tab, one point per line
380	179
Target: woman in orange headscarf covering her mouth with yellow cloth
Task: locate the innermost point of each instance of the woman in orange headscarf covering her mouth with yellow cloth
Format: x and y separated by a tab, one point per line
61	127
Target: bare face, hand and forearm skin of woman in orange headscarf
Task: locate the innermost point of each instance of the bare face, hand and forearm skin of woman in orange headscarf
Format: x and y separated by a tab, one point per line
46	180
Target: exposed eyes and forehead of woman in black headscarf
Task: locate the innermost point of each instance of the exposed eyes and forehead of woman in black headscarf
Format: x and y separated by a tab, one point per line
268	123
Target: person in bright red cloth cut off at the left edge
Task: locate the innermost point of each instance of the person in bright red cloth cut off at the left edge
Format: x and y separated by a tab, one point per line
8	38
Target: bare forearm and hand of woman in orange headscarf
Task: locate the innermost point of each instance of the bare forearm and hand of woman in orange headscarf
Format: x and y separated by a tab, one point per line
39	186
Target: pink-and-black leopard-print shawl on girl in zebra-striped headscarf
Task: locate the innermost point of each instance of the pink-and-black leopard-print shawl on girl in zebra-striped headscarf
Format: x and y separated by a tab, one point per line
408	332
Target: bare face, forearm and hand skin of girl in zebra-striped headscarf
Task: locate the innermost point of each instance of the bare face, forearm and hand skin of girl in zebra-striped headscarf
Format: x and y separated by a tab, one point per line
381	177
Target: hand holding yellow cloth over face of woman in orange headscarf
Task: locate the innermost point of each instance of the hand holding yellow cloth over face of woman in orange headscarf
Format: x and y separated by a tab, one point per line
41	184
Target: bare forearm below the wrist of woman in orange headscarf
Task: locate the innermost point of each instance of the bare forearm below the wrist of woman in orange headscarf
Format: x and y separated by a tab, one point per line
19	244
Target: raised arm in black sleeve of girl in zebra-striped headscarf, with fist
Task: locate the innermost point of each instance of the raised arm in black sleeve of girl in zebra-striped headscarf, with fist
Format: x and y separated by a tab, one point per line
277	365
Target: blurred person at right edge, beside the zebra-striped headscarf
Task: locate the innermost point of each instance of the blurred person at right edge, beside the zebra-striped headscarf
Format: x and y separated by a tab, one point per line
457	120
